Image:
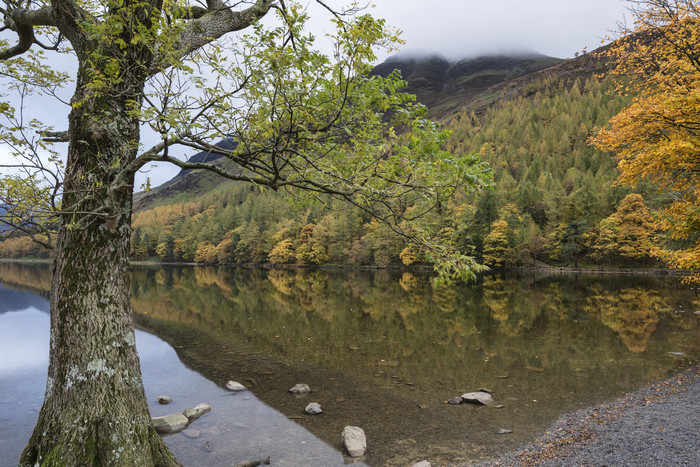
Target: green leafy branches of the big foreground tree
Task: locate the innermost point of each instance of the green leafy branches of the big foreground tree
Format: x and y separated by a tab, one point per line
300	120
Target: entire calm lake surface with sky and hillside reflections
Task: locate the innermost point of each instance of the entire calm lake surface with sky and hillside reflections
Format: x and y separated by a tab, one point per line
380	350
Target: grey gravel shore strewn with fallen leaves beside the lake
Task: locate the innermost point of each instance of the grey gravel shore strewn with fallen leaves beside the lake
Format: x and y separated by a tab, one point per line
658	425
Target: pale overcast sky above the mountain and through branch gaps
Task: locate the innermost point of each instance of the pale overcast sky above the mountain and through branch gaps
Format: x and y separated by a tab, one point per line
455	29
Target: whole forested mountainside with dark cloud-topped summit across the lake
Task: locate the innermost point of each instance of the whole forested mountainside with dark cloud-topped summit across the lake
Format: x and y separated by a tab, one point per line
531	122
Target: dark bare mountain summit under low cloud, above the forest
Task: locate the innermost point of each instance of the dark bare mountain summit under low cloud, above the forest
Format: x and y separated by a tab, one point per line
445	86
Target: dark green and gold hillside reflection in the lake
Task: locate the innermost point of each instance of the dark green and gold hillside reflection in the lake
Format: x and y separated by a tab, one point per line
384	351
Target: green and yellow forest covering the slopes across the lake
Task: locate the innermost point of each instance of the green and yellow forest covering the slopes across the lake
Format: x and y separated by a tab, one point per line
553	200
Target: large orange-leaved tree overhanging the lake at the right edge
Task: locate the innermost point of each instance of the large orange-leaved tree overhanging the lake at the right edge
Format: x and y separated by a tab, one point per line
657	137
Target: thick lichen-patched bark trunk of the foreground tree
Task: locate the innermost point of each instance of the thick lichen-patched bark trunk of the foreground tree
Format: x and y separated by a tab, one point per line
95	410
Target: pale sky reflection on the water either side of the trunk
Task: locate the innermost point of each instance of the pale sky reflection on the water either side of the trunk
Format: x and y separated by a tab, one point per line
239	428
